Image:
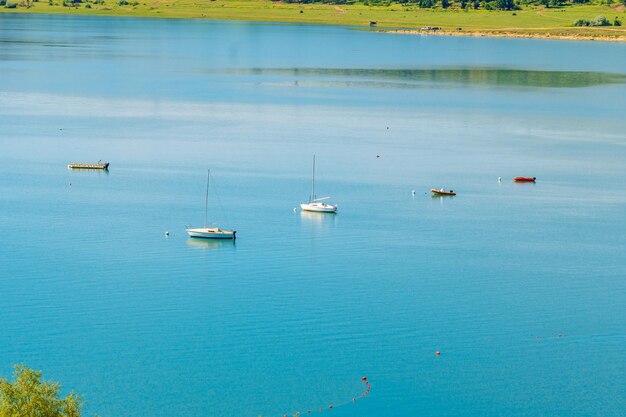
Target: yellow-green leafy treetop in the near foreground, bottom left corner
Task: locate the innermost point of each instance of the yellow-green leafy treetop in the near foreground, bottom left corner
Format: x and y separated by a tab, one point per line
30	396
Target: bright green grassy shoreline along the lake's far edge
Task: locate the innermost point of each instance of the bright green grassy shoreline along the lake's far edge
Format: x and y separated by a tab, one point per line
530	22
